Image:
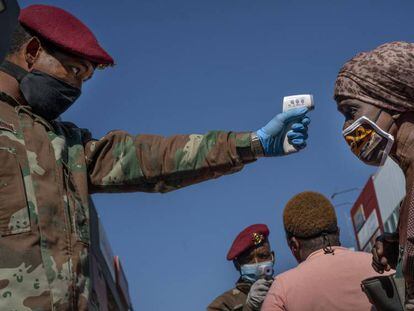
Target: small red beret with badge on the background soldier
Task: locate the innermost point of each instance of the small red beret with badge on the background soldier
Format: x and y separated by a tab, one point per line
251	236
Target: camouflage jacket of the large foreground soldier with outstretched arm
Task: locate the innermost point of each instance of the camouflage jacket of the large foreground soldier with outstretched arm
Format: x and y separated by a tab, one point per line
48	171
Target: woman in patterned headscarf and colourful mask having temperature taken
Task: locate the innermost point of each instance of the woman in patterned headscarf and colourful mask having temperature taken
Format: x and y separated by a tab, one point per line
375	93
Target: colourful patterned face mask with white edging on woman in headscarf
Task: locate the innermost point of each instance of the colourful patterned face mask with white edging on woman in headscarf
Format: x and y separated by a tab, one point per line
368	141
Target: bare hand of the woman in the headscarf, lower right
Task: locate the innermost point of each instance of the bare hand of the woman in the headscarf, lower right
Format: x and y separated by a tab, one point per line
385	252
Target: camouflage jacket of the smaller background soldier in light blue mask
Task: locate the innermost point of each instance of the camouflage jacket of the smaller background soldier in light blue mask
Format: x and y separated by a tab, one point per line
232	300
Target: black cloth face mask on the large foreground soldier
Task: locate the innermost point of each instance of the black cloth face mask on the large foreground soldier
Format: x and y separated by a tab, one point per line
49	97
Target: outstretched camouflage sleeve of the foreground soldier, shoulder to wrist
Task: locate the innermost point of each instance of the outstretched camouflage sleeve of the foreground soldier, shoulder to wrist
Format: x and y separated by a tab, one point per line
120	162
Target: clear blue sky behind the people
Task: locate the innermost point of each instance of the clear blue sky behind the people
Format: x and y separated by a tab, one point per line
189	66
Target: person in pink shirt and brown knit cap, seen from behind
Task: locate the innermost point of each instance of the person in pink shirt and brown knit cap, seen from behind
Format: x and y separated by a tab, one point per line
328	276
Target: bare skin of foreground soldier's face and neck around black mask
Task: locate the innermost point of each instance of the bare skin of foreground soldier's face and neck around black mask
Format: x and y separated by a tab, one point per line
33	56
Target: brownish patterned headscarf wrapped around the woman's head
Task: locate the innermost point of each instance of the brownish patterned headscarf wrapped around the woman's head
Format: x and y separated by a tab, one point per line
383	77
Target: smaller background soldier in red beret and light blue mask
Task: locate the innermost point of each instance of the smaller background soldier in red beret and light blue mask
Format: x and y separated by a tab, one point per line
253	258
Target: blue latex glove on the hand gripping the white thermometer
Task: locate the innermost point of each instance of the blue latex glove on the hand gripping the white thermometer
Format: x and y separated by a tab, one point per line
273	133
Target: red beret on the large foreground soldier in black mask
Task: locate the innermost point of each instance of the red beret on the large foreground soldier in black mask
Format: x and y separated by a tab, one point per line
65	31
